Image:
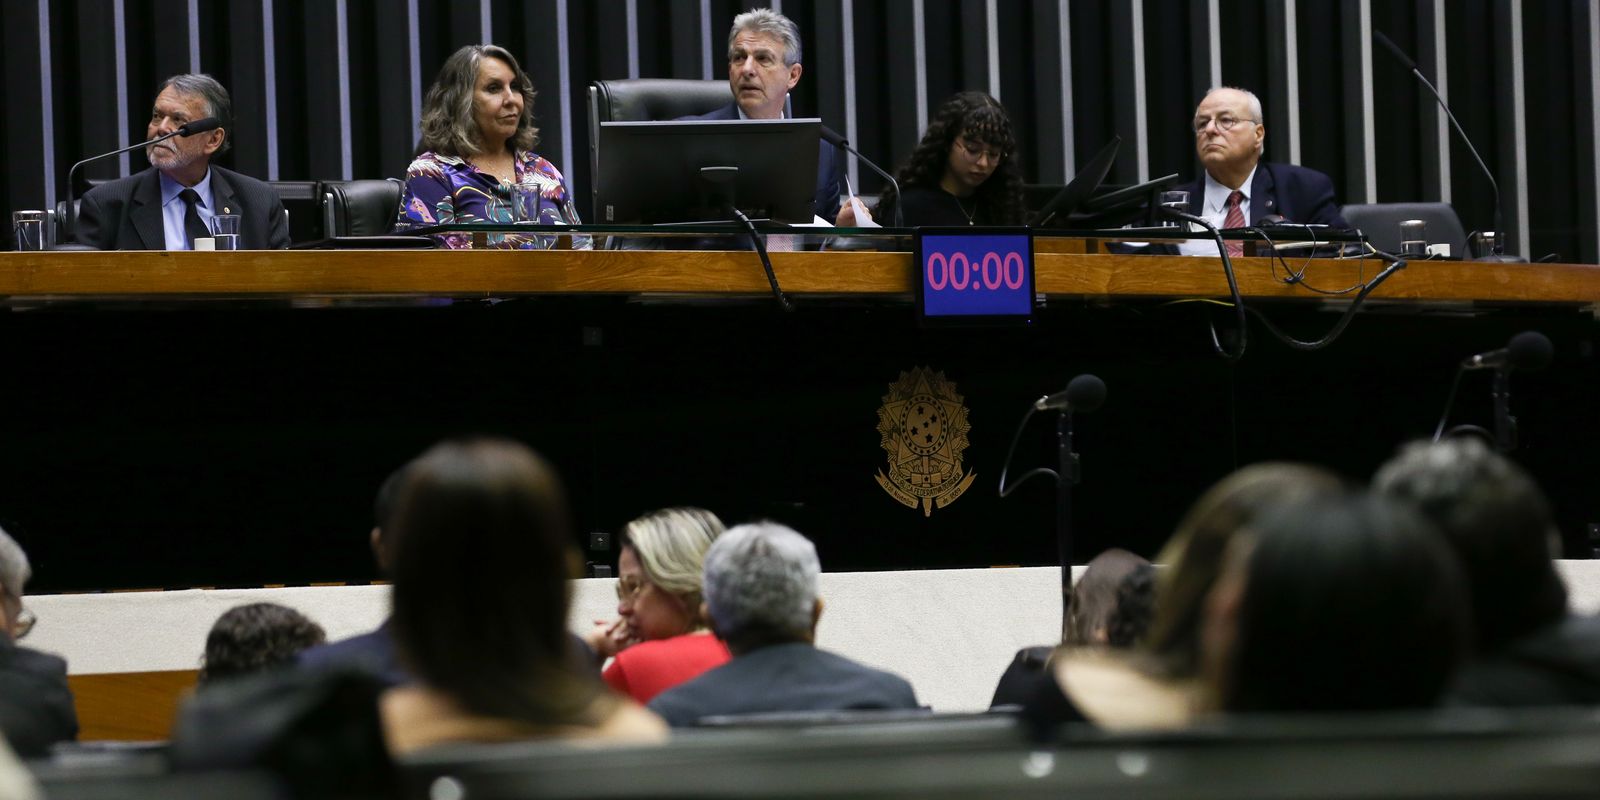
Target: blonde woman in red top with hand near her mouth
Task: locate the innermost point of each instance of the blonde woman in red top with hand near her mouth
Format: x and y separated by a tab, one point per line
662	639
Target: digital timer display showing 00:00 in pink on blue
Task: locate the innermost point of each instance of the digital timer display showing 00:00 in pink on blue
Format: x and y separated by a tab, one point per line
975	274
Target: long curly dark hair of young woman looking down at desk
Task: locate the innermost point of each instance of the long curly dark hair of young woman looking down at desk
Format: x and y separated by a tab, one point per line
978	119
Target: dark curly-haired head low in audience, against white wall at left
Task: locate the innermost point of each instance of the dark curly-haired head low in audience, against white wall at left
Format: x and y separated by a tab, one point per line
257	638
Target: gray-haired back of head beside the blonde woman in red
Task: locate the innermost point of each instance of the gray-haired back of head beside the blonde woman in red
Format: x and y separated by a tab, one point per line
761	586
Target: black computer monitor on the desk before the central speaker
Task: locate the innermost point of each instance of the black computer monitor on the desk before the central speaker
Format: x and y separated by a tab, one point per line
654	172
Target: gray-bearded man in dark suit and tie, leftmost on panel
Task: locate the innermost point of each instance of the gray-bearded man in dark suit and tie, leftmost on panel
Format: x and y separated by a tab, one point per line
174	204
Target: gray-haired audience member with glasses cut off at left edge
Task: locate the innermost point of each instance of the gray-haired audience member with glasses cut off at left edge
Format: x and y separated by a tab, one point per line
36	703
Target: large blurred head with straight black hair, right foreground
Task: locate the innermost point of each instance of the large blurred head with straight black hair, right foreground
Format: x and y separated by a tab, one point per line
1337	606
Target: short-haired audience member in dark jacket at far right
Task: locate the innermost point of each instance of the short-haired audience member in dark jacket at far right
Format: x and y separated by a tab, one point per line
1530	650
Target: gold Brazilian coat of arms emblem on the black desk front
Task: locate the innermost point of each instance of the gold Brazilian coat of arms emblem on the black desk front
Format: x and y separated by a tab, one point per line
924	428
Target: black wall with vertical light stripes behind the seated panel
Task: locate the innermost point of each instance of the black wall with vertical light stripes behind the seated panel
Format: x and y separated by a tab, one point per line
330	89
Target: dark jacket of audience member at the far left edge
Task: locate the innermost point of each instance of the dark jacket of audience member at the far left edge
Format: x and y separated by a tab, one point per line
36	703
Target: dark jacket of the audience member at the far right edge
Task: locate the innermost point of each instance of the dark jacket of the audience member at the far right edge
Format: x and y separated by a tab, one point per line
1554	666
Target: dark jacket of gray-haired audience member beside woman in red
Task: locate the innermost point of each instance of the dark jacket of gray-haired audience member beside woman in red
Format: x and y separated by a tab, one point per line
780	679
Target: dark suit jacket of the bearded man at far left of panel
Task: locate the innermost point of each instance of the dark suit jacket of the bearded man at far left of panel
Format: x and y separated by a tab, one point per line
127	214
